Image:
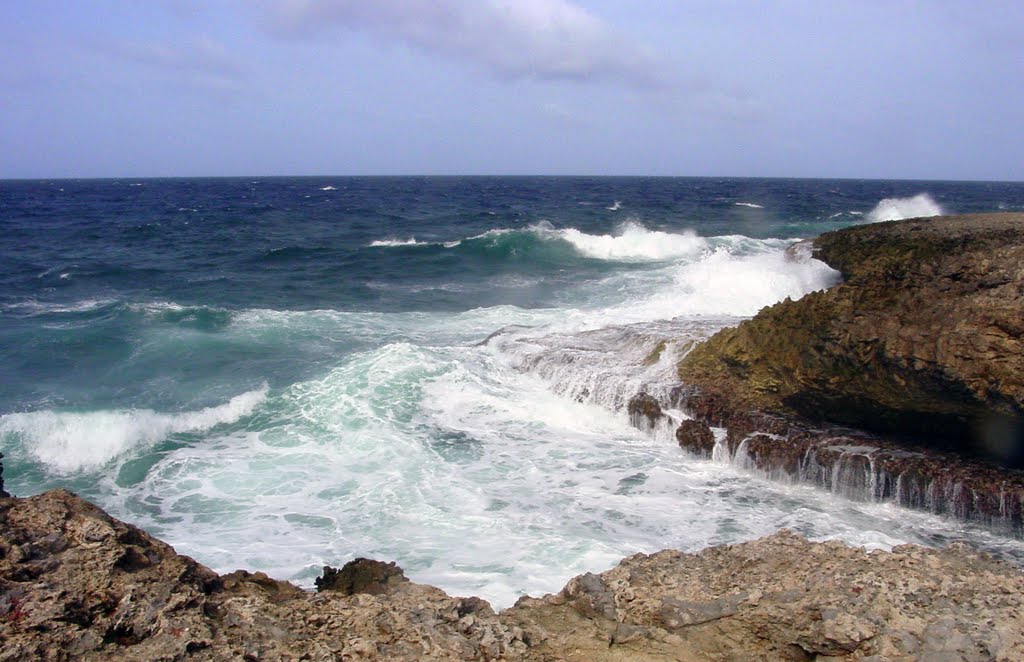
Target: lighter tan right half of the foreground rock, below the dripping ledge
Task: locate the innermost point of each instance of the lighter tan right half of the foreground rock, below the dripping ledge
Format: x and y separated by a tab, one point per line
786	599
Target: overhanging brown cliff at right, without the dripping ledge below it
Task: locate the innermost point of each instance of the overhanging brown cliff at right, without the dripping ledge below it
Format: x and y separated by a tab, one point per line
925	338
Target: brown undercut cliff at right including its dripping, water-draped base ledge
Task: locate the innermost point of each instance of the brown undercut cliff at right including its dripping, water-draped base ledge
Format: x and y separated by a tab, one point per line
906	383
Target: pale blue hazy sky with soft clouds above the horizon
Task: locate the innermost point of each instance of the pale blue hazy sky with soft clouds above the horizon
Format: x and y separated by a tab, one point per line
869	89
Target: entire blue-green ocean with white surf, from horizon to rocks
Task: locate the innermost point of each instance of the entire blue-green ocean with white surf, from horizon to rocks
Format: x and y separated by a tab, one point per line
281	374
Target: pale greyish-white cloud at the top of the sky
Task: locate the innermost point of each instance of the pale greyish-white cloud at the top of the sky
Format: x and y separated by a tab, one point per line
539	39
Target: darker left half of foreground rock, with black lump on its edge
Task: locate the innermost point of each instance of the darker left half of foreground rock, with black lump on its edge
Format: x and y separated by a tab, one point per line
76	585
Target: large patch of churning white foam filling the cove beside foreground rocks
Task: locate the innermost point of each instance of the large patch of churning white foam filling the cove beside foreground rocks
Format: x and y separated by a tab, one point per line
471	474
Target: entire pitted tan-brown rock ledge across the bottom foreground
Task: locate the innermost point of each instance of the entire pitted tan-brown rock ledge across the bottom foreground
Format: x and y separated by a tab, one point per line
78	585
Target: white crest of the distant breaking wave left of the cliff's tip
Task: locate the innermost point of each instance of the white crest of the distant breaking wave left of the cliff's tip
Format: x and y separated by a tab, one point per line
634	242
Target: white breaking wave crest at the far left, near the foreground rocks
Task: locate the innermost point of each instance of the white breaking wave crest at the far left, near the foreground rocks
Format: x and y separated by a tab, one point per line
68	442
